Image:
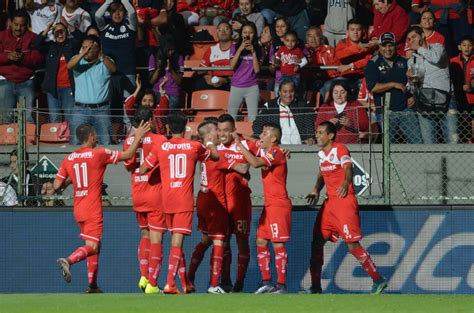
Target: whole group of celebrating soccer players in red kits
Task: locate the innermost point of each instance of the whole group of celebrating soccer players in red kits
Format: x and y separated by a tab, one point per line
162	173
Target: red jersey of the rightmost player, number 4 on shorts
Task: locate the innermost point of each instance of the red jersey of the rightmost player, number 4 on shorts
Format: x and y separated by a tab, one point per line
331	167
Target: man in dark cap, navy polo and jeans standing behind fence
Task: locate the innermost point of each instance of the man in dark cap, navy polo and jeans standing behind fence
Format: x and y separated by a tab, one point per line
386	74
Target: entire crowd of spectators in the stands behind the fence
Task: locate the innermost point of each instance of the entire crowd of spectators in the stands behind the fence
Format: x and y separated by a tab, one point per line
298	63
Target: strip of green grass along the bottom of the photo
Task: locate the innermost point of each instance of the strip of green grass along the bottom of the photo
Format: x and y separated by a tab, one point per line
116	303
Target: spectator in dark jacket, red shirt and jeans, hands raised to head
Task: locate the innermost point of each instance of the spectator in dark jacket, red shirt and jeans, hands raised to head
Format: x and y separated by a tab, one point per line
58	83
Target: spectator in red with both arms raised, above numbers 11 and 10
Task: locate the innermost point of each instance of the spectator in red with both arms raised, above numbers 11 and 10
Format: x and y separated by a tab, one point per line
147	97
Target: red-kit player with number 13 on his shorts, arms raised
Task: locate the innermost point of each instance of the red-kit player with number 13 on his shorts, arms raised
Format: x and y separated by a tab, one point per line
275	221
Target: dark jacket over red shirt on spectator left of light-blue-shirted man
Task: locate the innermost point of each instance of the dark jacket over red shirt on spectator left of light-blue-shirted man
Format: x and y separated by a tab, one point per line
70	48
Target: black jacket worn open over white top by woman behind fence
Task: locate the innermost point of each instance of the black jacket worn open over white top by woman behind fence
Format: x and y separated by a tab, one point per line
303	115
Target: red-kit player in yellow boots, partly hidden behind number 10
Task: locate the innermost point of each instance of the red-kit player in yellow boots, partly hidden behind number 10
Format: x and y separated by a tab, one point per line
147	204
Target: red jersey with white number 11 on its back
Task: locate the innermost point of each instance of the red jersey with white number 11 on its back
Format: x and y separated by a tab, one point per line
86	168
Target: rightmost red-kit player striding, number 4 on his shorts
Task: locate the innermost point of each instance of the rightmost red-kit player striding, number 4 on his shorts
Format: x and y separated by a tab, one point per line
339	214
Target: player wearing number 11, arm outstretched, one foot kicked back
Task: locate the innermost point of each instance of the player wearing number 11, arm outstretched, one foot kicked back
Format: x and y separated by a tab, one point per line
85	169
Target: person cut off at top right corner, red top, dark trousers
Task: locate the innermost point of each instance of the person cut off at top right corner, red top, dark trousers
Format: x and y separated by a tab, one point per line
451	22
